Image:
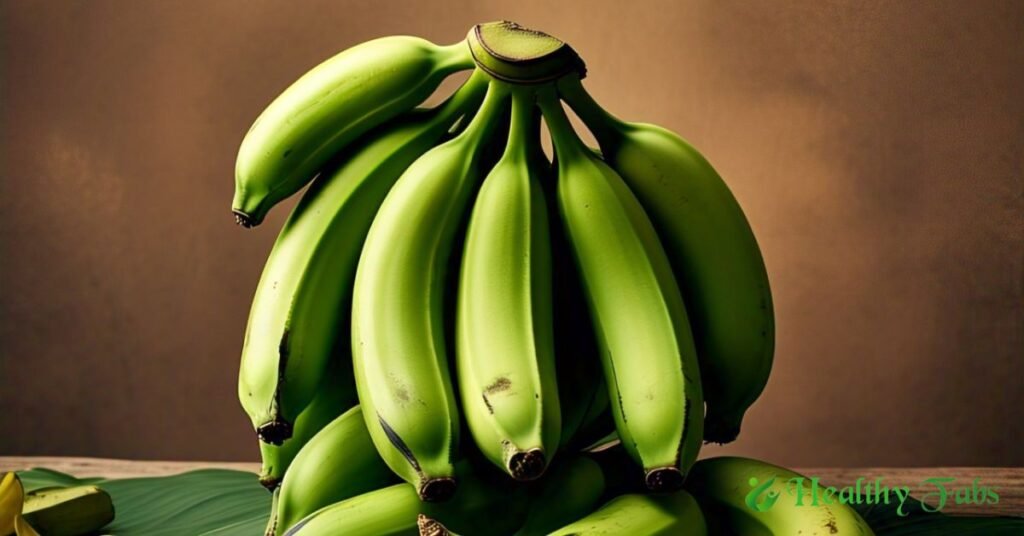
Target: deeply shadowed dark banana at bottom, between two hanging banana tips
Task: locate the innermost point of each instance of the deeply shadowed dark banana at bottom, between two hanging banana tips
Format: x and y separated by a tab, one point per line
570	492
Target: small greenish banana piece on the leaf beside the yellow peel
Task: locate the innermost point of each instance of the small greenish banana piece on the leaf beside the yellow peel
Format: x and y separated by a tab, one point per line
68	512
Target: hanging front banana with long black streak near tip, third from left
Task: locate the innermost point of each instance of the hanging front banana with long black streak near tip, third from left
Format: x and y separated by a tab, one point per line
399	340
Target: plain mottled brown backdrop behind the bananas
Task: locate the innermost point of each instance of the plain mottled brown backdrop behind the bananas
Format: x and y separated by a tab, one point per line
877	147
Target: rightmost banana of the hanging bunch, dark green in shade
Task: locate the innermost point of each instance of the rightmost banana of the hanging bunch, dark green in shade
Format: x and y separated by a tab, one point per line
713	252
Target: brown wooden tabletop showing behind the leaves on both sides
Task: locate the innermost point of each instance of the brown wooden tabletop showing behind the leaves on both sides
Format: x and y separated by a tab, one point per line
1007	482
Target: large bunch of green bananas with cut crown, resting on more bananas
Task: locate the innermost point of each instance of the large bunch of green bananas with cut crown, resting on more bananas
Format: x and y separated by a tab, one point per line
442	275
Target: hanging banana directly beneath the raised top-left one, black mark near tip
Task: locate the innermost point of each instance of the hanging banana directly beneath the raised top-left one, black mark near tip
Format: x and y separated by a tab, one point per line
297	318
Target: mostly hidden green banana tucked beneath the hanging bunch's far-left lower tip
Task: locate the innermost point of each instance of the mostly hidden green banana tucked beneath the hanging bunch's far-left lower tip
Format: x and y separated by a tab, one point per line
334	396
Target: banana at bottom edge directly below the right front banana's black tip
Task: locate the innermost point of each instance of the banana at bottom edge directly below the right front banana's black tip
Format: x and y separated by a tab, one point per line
669	515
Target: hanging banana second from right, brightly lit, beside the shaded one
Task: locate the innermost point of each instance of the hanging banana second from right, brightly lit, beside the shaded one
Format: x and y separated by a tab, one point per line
646	341
